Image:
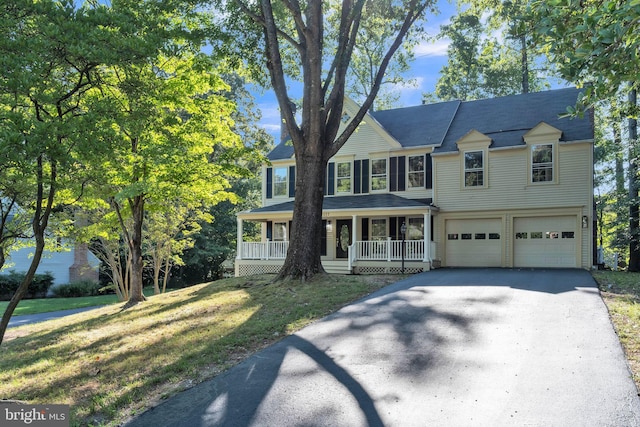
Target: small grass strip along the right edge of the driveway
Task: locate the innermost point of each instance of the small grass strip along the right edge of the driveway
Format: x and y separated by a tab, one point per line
621	293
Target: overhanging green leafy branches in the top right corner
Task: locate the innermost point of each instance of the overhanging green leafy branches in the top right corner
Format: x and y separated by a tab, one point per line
593	43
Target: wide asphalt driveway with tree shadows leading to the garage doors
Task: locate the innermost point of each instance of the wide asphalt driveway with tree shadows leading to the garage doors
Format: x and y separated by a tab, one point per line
450	347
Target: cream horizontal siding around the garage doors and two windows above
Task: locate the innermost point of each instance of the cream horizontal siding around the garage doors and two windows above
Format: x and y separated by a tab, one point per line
510	194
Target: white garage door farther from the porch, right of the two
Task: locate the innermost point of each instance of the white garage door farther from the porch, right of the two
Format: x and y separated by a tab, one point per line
545	242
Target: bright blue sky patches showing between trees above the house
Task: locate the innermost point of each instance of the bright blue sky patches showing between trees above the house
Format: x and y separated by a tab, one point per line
430	57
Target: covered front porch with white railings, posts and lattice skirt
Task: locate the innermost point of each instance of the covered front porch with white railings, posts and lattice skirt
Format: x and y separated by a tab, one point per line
363	235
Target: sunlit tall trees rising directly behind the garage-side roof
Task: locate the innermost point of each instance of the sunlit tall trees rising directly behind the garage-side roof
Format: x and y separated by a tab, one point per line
491	53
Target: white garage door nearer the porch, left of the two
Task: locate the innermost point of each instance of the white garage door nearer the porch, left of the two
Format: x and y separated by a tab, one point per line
473	243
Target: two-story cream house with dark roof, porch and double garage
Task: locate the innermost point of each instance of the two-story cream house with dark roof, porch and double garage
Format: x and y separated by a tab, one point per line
502	182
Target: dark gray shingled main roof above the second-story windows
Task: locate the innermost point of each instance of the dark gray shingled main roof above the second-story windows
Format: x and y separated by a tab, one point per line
504	119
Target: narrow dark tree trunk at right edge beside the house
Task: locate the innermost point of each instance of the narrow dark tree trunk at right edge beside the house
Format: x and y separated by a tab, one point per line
634	212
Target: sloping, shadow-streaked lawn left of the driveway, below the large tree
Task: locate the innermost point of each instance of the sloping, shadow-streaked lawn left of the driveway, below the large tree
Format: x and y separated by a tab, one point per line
109	364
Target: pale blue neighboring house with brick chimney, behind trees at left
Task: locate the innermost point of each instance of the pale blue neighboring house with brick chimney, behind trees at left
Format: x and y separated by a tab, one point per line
72	264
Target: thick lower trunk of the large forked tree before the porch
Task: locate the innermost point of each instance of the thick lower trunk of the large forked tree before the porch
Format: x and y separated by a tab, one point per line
303	257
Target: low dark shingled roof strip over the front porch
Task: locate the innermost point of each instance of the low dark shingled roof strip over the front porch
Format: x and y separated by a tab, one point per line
363	202
